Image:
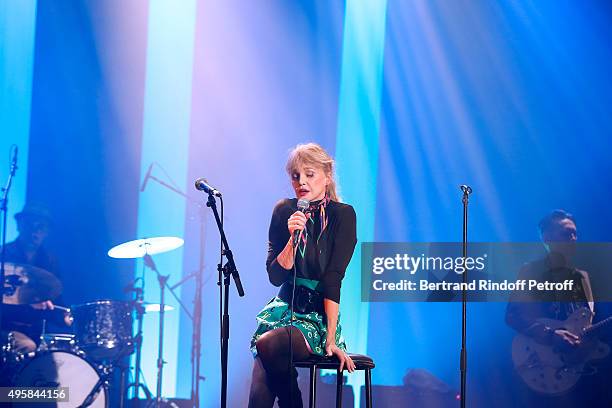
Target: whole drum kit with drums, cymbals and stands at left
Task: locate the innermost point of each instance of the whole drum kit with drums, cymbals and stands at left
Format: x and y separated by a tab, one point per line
101	338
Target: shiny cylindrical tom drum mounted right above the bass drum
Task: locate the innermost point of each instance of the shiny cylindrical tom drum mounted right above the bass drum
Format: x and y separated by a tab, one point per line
103	329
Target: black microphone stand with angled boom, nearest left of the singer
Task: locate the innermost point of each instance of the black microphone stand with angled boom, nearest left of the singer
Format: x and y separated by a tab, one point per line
229	269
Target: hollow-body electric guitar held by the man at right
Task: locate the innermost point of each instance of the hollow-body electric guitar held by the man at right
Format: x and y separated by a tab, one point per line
552	369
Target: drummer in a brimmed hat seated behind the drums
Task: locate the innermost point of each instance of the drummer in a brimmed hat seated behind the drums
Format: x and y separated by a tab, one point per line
25	322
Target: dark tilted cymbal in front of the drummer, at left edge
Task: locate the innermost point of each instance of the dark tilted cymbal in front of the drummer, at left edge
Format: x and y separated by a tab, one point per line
28	284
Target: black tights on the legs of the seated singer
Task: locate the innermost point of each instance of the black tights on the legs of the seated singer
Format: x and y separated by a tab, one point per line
271	377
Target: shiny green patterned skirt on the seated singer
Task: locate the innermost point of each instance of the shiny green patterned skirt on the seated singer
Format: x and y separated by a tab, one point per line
277	314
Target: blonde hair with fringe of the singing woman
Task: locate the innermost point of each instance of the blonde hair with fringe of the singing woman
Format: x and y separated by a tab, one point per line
314	155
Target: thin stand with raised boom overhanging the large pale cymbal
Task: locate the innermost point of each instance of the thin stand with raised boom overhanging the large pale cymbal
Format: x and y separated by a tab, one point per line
196	317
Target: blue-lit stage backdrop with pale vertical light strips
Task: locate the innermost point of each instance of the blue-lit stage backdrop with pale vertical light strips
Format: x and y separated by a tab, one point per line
413	97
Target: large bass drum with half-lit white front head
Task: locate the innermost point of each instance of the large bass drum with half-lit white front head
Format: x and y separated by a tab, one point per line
62	369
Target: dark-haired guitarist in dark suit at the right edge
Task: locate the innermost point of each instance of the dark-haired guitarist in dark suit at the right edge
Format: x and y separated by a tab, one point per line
559	234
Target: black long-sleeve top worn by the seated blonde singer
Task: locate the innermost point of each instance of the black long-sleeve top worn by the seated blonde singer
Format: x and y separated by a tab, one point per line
326	258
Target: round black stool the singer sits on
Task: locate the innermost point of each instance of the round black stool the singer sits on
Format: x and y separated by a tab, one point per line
313	362
